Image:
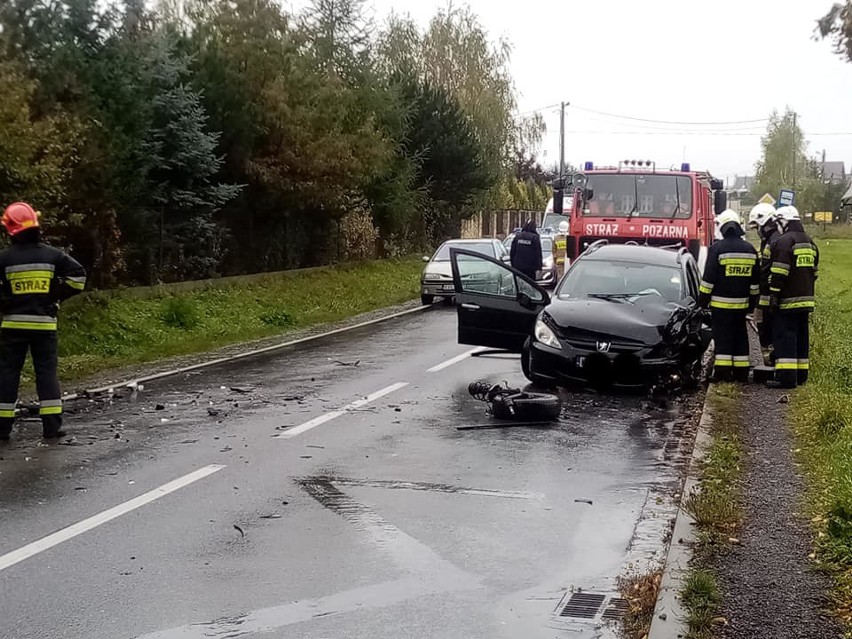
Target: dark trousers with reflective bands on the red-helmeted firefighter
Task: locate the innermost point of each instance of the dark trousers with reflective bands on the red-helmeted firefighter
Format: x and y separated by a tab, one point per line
14	345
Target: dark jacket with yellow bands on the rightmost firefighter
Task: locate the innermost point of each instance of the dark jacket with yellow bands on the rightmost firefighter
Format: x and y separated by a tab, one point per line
795	265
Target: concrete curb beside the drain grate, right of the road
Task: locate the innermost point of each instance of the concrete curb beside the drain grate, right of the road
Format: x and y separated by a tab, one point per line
669	620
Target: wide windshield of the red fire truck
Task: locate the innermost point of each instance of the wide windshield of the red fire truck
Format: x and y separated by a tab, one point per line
615	195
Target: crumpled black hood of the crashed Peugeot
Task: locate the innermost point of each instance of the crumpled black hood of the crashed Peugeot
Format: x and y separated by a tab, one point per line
645	321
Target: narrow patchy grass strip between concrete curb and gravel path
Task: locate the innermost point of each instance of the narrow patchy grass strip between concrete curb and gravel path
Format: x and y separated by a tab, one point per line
716	507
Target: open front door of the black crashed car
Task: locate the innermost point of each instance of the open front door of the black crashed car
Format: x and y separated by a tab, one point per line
497	305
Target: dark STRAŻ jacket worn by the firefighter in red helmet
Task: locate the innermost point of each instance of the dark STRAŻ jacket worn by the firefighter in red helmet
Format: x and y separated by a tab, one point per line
34	278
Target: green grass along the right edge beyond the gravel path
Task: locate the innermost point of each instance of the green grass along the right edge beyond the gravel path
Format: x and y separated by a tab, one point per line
822	421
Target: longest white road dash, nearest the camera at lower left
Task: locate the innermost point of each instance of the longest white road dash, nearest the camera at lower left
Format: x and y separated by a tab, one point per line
45	543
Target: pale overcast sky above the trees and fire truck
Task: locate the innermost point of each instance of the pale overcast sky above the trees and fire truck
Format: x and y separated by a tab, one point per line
674	60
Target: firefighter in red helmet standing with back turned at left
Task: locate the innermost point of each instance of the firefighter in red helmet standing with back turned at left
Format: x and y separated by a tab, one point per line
34	278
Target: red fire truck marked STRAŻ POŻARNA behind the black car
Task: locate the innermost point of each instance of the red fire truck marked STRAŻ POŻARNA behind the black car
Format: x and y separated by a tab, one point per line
635	202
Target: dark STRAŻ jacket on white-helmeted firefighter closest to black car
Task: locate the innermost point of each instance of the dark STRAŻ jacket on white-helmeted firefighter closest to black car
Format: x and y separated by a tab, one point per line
731	278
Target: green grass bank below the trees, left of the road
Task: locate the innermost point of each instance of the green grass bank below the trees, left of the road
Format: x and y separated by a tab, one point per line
103	331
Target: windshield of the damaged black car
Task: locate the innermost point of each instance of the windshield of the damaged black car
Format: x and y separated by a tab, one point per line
621	281
